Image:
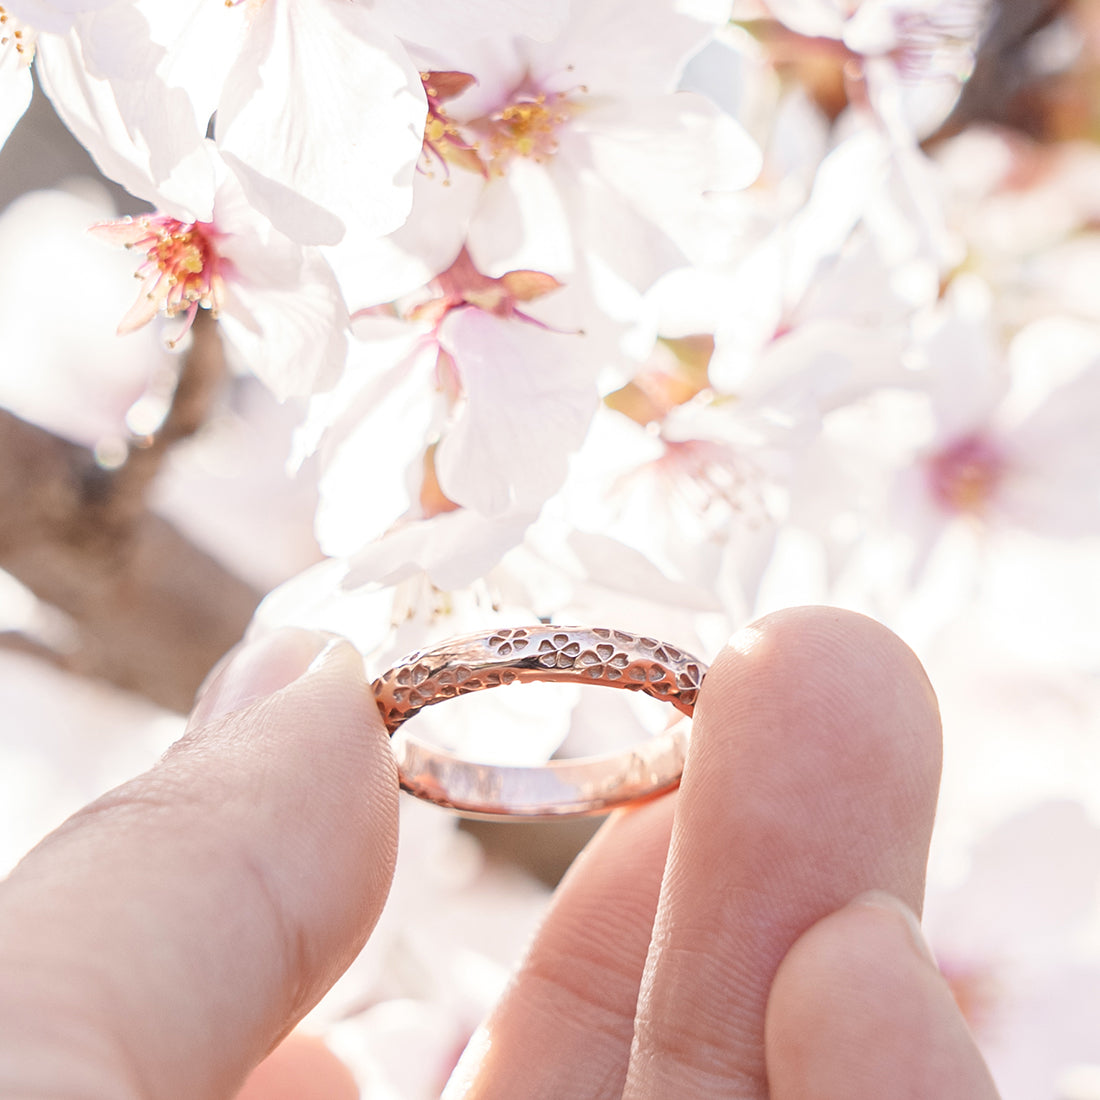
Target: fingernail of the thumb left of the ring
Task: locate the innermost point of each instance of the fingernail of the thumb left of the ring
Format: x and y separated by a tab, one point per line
257	669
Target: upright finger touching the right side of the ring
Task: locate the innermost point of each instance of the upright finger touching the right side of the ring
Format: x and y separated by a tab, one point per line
812	778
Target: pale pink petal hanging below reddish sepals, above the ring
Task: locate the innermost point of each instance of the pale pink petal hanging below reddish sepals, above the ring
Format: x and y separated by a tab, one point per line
530	395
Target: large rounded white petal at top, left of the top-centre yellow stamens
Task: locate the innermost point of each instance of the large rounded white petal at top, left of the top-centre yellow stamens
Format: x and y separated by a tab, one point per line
309	160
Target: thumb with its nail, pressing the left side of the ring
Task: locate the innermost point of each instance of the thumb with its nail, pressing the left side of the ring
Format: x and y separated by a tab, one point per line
164	939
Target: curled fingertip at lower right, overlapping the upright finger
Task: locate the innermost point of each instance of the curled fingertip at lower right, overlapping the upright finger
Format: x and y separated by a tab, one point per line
860	1011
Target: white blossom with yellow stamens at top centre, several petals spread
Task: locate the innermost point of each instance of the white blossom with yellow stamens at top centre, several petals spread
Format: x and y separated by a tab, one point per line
581	163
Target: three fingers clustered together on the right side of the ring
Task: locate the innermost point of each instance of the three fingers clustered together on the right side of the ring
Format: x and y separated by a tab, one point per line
785	961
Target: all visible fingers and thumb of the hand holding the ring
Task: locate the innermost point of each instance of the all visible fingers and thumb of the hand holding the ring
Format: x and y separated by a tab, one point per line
750	938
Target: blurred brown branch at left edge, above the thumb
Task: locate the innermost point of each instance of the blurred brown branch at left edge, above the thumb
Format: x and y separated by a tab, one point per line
153	612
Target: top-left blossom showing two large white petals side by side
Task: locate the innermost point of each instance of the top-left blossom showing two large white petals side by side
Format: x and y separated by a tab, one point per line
281	80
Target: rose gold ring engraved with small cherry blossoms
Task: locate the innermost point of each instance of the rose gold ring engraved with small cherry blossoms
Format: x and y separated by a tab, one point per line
562	654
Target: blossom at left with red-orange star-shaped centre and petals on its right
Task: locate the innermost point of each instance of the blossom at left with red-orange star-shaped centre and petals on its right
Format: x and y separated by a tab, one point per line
278	302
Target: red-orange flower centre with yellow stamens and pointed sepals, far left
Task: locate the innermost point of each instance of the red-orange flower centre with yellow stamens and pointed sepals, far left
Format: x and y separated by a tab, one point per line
182	272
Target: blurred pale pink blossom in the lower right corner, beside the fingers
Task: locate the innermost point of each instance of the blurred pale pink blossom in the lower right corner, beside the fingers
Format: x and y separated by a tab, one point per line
1014	942
